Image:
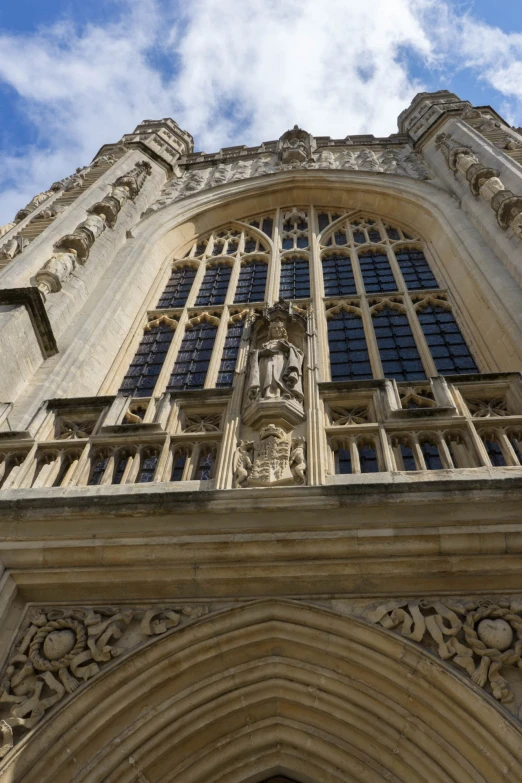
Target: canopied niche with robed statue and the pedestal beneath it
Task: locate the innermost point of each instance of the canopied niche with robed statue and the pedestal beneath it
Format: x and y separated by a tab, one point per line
274	388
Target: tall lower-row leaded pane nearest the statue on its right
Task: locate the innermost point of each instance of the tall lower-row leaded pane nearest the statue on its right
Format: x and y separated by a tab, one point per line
349	358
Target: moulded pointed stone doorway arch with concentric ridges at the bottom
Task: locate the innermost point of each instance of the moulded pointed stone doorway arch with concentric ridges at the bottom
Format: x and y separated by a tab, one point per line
273	690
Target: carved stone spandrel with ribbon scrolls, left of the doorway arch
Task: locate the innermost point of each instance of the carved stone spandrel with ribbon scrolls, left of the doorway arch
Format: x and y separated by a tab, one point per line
61	648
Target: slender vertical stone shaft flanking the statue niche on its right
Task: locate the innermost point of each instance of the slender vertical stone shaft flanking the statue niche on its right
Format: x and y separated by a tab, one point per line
316	436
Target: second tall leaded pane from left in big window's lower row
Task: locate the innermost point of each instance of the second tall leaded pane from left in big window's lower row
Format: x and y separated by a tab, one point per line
194	355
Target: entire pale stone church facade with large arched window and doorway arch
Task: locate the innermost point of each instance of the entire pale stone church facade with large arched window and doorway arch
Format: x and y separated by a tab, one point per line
261	460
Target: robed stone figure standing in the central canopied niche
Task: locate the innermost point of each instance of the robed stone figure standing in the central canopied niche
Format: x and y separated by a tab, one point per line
276	367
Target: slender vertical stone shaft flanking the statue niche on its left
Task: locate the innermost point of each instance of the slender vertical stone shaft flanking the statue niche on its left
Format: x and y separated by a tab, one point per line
225	467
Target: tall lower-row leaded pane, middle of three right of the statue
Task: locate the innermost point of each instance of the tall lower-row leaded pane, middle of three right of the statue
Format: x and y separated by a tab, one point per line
399	355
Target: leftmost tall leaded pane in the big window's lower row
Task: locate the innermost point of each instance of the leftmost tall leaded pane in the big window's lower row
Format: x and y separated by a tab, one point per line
144	369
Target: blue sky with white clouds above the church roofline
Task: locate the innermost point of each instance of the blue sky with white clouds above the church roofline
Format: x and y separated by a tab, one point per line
74	76
